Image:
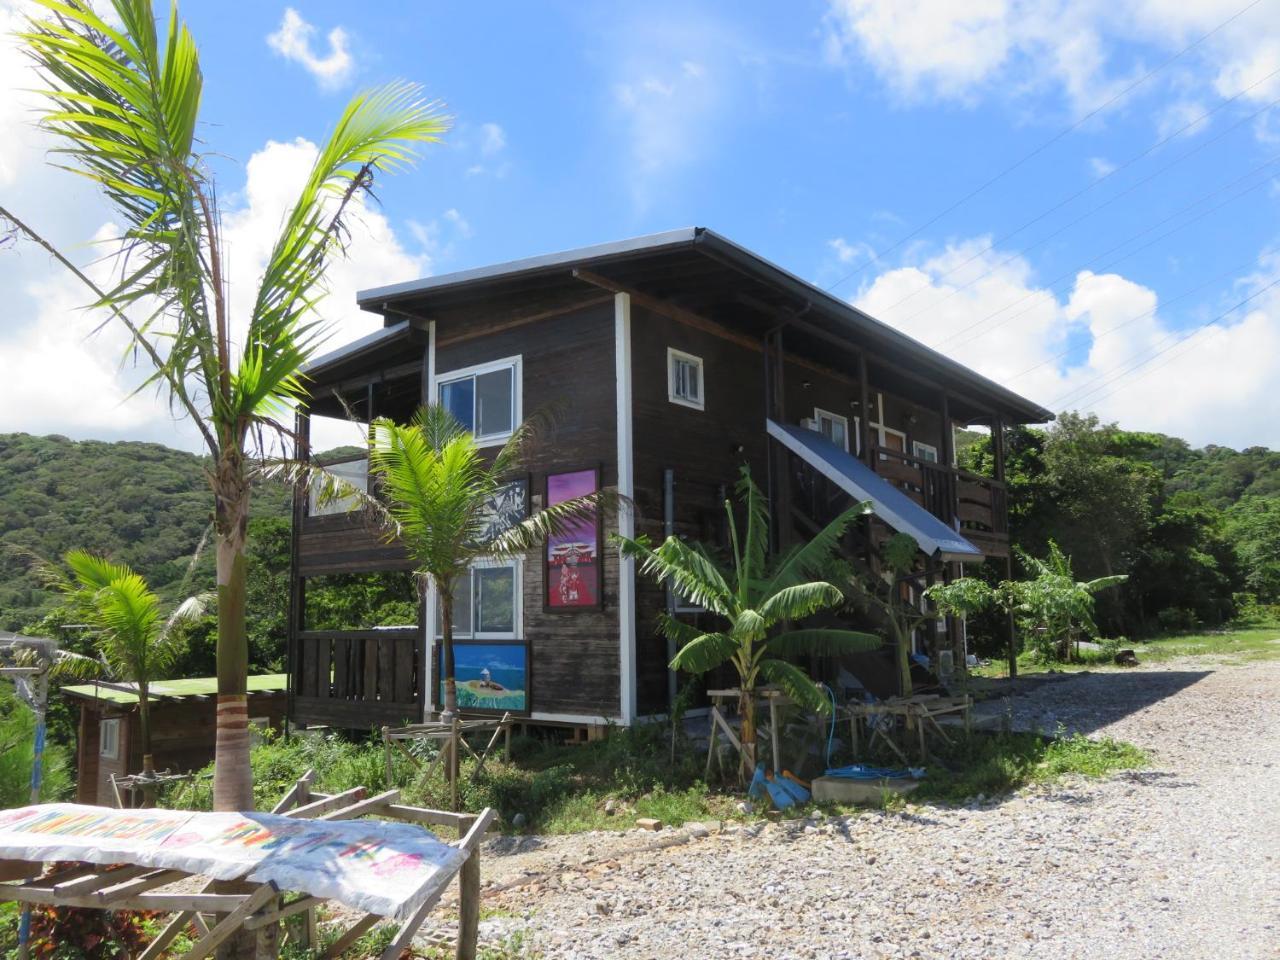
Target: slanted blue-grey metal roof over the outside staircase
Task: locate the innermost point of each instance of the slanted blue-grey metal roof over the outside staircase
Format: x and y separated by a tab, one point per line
888	502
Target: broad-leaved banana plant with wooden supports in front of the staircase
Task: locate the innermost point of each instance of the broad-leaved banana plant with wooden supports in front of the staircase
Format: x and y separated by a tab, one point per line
755	595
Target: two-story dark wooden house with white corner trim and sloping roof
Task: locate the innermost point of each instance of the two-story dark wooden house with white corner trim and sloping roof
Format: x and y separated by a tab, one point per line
670	360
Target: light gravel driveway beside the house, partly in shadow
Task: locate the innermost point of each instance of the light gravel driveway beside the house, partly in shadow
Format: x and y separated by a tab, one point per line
1180	861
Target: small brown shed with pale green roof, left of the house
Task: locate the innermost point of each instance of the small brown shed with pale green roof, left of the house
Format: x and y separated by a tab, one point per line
184	715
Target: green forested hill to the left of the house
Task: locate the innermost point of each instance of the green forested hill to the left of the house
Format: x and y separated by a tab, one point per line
141	504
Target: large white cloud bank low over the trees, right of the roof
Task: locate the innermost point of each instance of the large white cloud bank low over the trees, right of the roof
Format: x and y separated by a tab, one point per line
1016	332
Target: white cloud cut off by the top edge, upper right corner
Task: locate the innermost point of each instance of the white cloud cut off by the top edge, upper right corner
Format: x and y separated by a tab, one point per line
939	49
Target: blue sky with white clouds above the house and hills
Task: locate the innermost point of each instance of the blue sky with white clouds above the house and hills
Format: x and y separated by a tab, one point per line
816	134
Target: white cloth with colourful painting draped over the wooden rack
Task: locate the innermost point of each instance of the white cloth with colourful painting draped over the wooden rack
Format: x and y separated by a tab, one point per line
383	868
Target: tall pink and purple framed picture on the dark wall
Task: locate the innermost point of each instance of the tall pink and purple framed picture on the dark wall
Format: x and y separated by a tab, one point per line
572	568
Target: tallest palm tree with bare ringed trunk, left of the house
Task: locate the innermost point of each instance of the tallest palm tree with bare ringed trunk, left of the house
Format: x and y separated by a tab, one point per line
126	108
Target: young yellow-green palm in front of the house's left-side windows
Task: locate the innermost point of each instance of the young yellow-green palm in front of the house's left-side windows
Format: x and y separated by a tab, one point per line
440	488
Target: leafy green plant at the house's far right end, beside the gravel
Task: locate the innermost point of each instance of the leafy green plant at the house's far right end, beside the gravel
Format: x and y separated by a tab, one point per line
1053	607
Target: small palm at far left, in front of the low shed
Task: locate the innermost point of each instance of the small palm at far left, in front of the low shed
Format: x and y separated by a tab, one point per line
136	641
